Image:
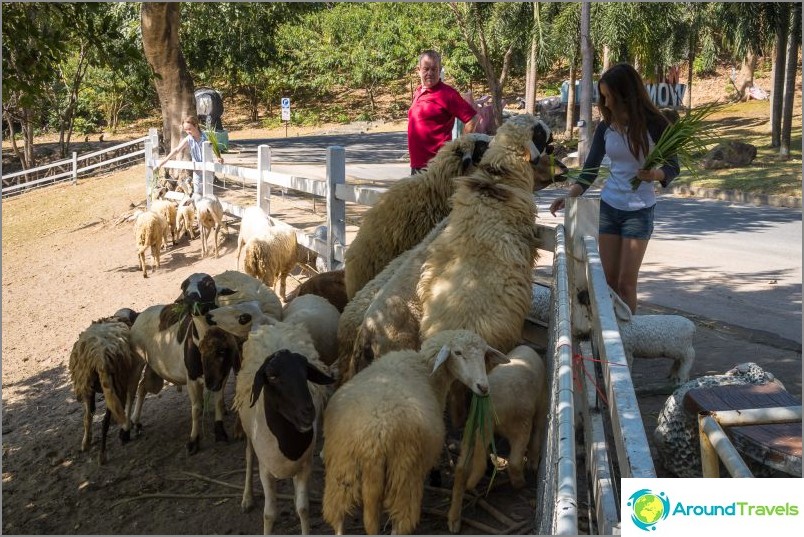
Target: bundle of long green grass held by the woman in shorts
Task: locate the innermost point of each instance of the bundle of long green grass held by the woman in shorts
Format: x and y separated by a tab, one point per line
685	139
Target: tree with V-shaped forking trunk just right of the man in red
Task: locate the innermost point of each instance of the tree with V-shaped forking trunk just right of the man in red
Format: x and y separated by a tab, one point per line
493	32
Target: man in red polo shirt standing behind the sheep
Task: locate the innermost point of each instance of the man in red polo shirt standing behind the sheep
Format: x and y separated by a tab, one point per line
433	111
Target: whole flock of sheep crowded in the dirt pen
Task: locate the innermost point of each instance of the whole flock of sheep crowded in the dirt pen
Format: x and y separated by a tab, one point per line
428	309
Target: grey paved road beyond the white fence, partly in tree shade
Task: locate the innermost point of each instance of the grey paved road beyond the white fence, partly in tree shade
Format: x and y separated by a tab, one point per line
736	264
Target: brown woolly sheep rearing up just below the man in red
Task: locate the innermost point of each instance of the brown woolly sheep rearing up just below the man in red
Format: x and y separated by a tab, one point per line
408	210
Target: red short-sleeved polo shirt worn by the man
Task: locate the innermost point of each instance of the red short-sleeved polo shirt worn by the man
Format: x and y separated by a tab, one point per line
430	120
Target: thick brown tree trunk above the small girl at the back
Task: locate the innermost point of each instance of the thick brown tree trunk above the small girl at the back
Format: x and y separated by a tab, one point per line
160	23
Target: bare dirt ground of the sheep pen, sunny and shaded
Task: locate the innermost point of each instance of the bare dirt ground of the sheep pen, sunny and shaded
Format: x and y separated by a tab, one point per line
68	260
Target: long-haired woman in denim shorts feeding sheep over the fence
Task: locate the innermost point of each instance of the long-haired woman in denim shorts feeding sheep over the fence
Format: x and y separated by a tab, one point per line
630	128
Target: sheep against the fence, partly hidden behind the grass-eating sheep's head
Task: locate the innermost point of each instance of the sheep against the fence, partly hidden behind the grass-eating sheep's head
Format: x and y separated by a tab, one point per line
519	397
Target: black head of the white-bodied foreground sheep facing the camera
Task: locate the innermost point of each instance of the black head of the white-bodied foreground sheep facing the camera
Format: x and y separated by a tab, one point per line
289	409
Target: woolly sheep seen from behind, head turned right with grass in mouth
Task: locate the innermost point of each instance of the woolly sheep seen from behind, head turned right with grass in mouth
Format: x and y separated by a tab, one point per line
384	430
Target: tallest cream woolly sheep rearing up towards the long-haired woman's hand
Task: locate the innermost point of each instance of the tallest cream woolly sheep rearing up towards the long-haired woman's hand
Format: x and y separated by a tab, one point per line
477	275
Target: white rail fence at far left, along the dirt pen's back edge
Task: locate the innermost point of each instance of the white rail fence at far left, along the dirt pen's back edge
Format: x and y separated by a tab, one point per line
14	183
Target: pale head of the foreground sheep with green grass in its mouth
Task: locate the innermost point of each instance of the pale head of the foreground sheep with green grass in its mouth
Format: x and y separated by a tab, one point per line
467	356
